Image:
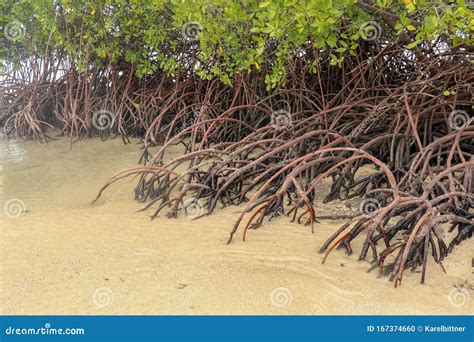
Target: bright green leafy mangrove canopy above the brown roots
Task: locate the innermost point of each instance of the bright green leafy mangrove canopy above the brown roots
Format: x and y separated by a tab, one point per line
229	38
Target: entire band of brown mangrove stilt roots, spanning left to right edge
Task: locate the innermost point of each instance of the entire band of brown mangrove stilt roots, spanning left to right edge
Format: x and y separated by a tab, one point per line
408	115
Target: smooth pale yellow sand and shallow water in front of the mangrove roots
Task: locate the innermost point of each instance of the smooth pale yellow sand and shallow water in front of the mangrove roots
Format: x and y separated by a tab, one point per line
62	255
